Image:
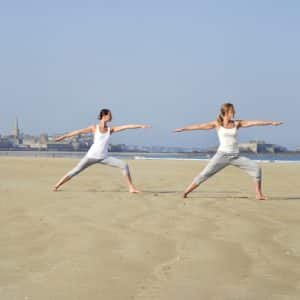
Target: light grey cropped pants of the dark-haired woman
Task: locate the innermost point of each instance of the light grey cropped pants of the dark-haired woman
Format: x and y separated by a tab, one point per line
87	162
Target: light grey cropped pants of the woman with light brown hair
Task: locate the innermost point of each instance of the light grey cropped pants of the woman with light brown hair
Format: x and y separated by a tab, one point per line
222	160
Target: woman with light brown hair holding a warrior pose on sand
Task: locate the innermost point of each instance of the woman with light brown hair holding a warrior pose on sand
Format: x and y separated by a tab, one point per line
228	151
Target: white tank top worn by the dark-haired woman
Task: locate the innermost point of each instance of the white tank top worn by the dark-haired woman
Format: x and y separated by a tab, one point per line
99	149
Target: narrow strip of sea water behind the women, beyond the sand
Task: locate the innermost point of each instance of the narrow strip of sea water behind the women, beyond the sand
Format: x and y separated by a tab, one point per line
263	157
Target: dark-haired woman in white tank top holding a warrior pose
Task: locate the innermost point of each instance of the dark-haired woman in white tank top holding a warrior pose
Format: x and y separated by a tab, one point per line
98	153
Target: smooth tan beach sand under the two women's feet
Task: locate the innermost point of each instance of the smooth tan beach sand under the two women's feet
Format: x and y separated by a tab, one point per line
93	240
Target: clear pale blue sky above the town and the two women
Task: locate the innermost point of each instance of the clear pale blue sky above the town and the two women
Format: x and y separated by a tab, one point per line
165	63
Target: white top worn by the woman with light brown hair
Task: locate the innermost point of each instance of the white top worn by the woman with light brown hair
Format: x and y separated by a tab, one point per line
228	139
